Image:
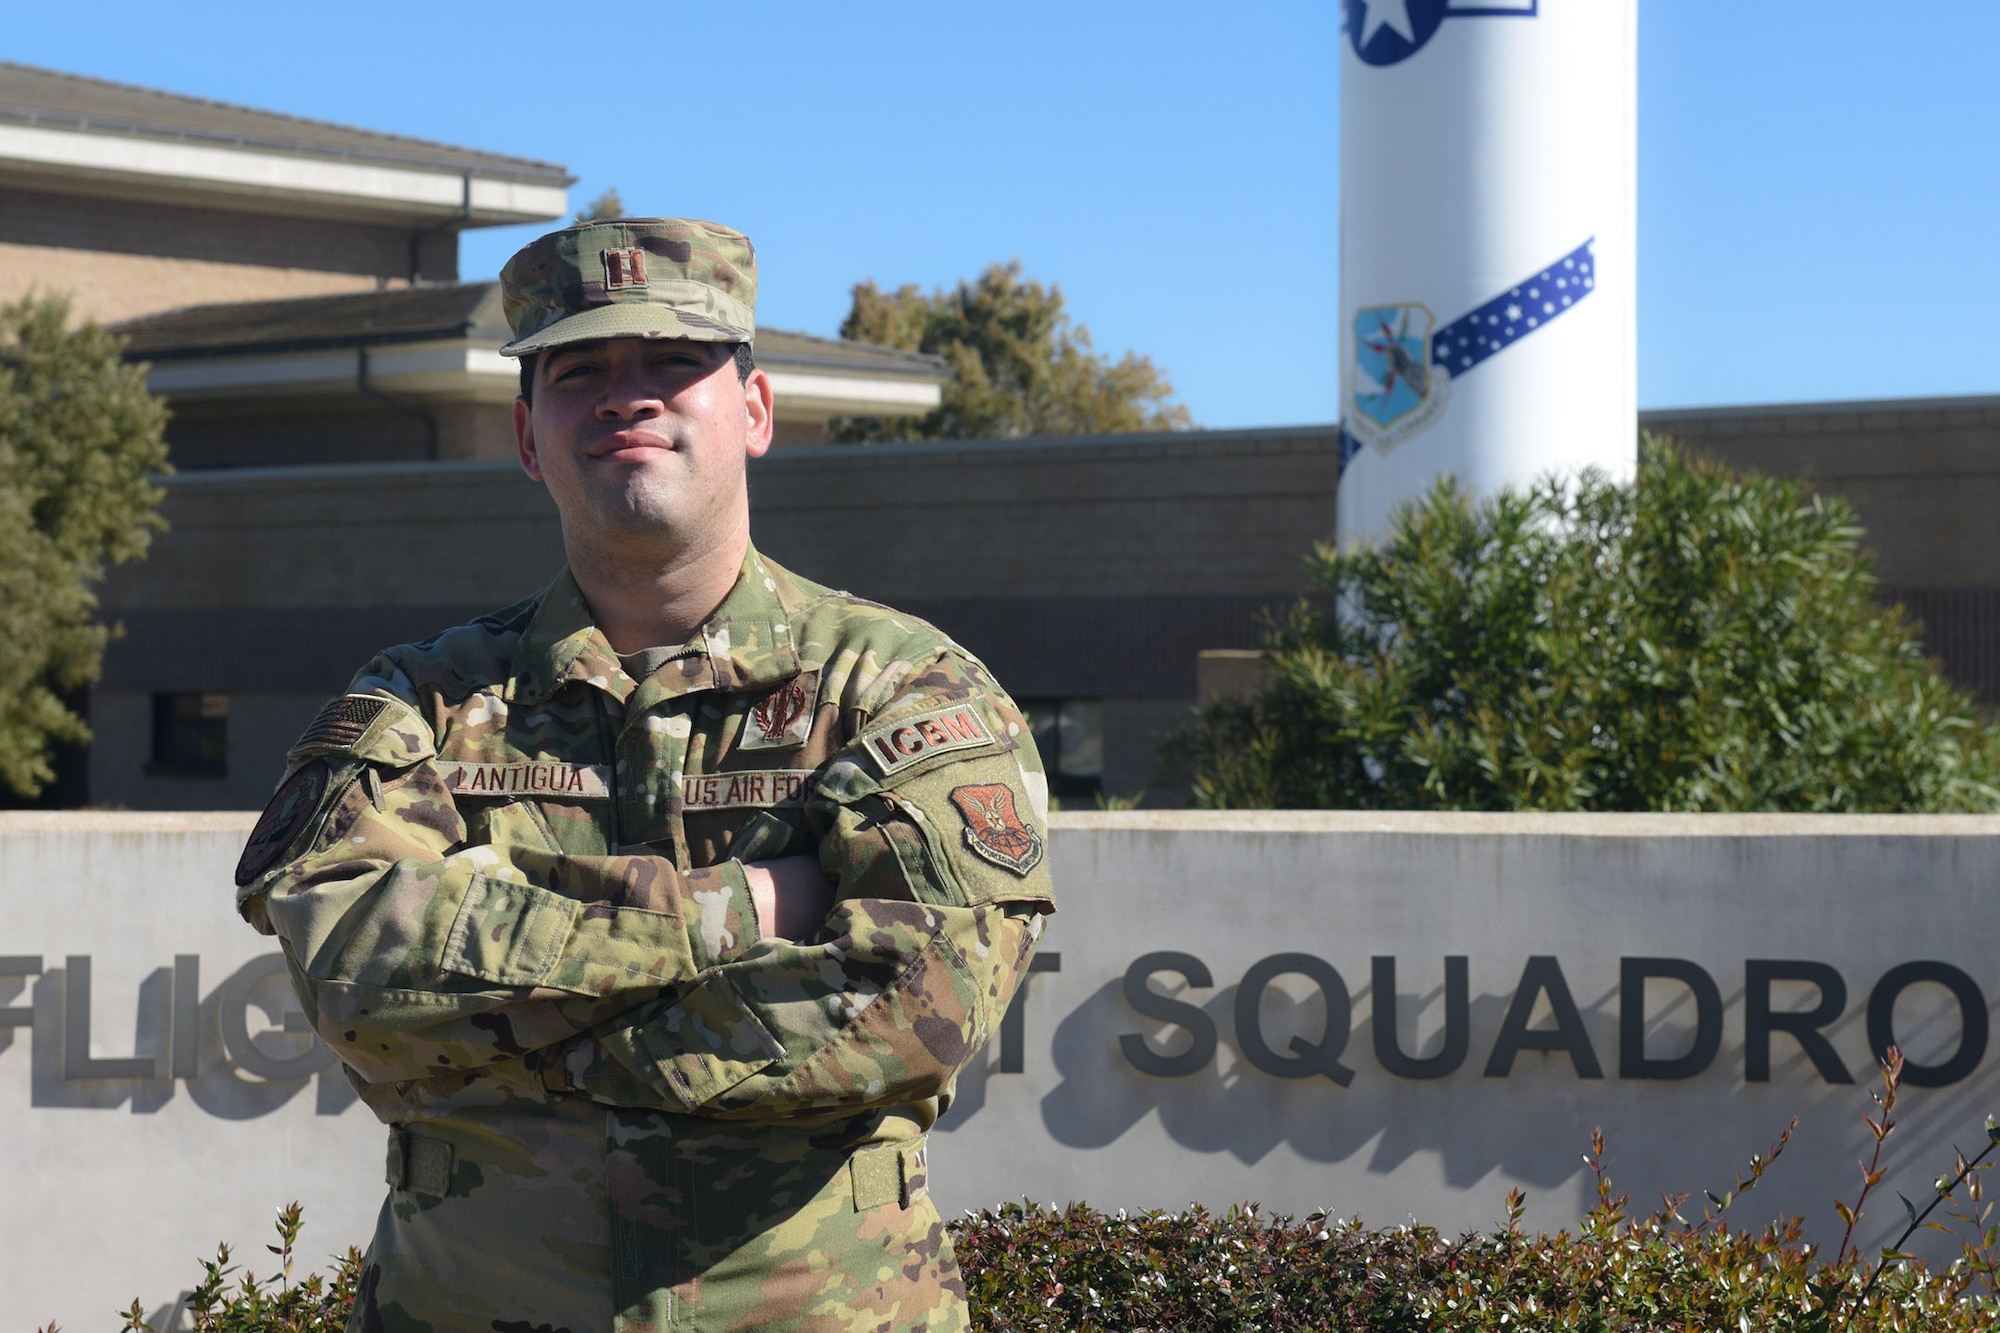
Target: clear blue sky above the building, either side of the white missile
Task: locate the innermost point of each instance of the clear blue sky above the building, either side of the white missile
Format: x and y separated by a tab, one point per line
1819	185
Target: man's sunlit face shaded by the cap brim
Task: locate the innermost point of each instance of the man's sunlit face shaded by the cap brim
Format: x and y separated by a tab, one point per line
643	437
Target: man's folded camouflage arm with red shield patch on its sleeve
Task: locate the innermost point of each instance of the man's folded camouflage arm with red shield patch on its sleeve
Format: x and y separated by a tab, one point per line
941	894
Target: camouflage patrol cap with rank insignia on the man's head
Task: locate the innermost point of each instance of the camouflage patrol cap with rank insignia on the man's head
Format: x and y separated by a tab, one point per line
631	279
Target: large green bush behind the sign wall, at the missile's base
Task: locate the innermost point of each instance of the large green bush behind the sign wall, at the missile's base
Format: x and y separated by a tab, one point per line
1689	641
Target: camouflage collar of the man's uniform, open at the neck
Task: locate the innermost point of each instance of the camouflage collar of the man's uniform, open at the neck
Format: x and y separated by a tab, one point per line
745	645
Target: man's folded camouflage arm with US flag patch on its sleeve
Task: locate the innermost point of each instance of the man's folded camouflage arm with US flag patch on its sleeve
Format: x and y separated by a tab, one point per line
419	954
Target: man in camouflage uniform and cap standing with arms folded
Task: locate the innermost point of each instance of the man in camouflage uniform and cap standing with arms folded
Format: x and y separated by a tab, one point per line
657	914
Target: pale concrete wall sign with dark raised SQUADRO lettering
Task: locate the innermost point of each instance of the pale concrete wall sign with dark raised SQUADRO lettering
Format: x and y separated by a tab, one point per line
1385	1016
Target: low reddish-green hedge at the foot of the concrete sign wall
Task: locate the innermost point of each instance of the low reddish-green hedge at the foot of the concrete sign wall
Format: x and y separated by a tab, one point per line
1077	1270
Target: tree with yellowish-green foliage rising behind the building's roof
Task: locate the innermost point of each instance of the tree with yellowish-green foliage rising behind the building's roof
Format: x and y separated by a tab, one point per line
1019	367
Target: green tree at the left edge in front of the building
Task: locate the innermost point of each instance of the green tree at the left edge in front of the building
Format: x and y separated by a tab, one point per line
79	435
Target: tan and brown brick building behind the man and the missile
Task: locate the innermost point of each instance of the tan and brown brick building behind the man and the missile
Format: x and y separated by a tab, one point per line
347	479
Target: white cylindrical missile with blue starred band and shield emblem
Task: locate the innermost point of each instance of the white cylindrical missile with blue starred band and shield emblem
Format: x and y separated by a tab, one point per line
1487	191
